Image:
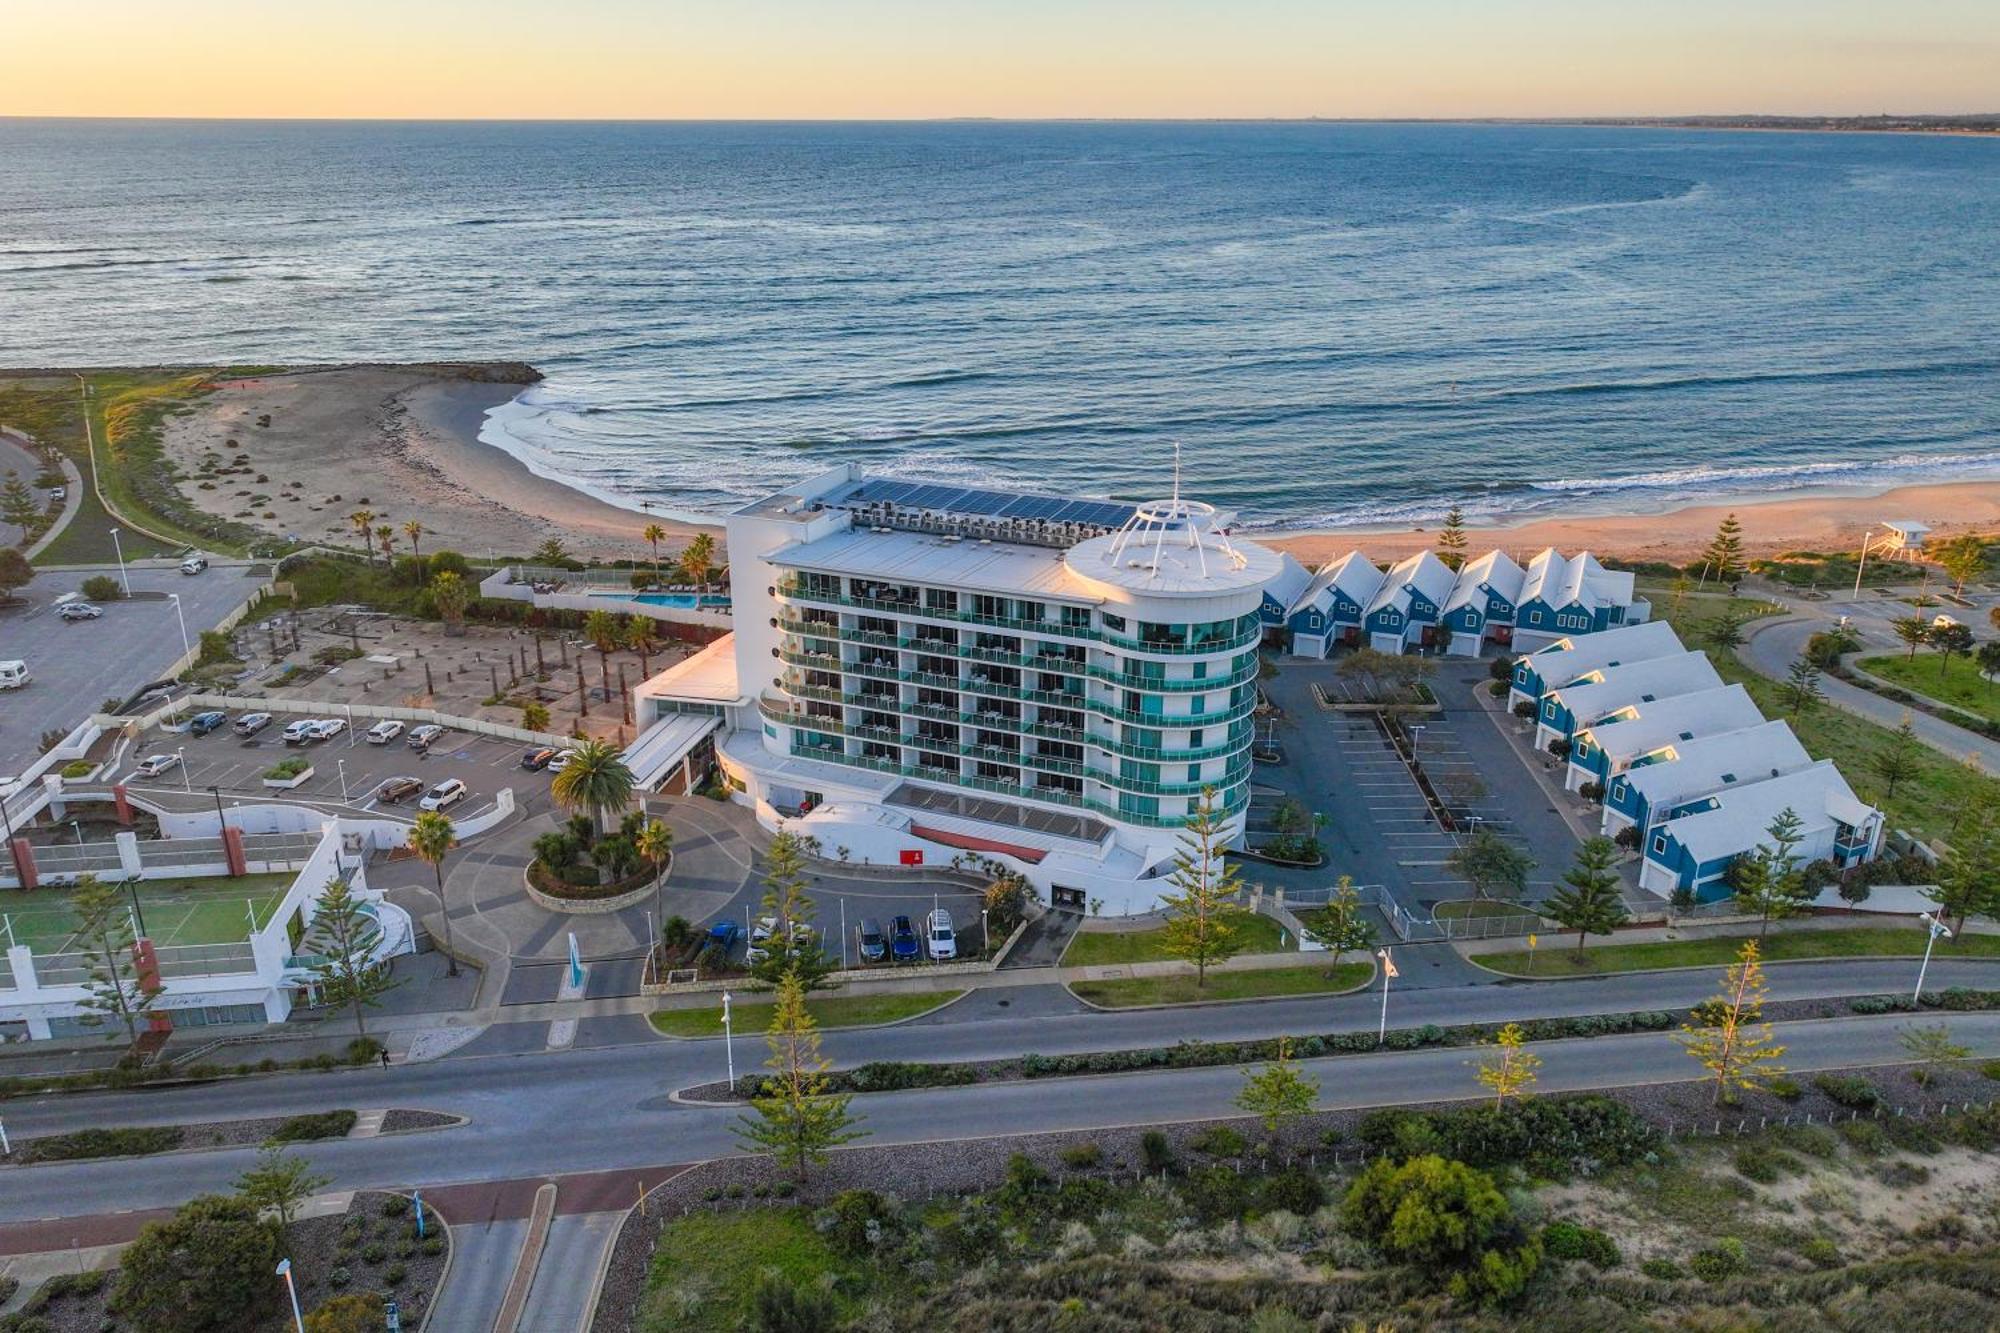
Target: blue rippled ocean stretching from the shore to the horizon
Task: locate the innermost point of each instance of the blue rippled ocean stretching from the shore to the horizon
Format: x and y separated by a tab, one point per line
1337	323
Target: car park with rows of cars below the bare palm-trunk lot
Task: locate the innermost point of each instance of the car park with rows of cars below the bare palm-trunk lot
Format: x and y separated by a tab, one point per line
345	770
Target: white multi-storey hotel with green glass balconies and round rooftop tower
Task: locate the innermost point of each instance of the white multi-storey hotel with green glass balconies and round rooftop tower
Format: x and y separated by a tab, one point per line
933	668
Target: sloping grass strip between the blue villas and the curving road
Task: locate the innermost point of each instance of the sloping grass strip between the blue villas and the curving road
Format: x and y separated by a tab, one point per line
1927	804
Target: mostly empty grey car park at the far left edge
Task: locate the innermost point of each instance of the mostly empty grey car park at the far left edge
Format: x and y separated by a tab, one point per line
79	665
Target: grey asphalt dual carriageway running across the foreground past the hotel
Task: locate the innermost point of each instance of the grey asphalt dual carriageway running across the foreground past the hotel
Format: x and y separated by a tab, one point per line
609	1108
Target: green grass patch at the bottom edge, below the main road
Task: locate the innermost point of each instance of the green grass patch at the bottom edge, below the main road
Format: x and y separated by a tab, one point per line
707	1270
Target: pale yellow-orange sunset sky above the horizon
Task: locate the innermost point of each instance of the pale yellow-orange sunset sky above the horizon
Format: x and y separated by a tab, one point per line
1011	59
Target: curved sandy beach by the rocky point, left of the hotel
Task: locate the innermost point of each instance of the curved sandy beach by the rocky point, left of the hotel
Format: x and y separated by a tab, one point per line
401	441
